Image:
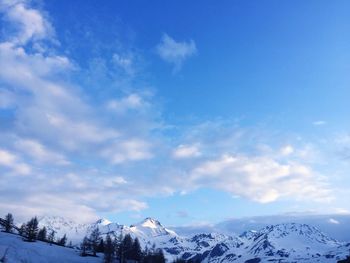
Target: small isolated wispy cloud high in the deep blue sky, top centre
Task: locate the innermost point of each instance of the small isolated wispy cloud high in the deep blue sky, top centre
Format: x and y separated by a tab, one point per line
175	52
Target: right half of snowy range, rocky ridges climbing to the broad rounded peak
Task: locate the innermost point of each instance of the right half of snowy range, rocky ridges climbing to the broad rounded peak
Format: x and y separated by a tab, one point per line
275	243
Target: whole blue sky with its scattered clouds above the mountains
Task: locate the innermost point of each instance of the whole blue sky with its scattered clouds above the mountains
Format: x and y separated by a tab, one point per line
189	113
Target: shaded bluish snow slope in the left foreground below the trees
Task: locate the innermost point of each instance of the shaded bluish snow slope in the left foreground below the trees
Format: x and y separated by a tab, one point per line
17	251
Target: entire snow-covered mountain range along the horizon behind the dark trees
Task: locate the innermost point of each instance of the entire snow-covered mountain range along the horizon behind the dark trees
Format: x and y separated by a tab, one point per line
289	242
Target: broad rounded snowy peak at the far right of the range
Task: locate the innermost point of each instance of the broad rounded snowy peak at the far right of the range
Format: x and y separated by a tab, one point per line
297	241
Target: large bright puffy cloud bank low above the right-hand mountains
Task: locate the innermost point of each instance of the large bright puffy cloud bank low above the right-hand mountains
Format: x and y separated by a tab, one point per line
260	178
